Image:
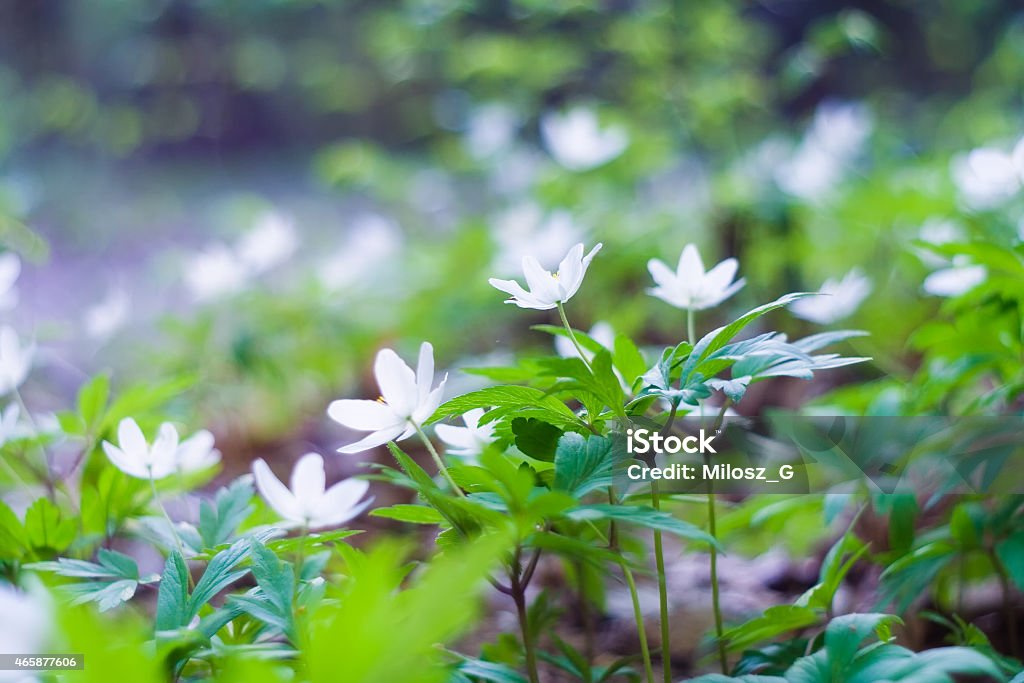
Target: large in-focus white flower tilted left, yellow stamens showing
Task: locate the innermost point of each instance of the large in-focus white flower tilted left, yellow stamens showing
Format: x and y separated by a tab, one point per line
407	401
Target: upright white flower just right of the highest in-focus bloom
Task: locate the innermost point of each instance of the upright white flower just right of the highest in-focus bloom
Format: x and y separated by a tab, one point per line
690	287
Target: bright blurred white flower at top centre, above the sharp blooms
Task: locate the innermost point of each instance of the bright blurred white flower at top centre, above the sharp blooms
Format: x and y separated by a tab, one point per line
577	141
